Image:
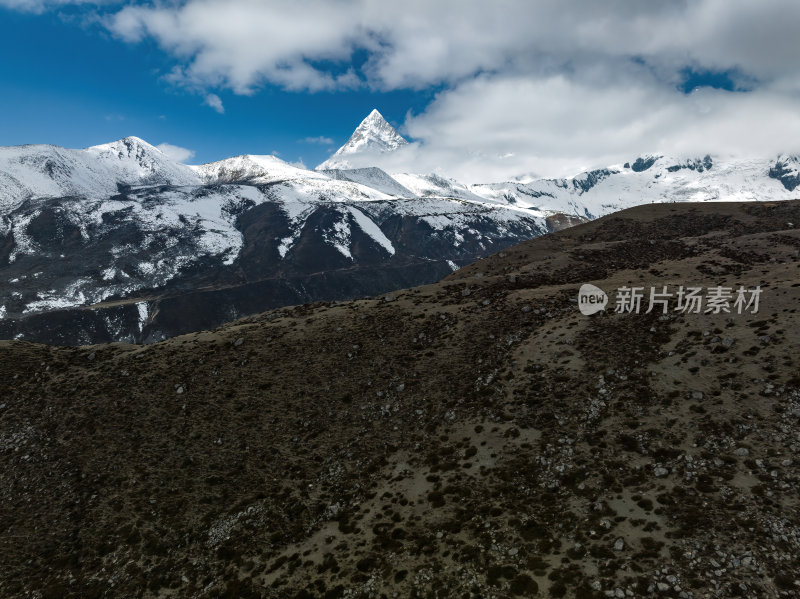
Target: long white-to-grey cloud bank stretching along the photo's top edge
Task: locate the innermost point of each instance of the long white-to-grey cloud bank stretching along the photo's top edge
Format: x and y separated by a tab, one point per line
242	44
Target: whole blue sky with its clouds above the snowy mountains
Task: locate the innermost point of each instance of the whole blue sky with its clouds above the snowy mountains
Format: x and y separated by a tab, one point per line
484	90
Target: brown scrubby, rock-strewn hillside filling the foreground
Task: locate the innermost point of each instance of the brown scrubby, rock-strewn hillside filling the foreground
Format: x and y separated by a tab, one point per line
474	437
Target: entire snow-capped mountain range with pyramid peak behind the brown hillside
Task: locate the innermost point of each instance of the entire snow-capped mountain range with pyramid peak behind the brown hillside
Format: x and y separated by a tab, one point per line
120	243
